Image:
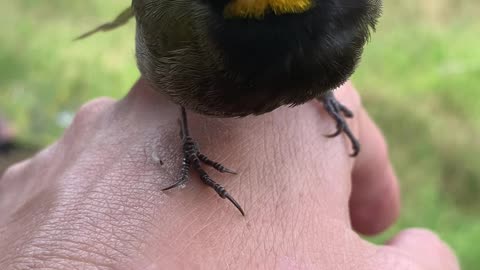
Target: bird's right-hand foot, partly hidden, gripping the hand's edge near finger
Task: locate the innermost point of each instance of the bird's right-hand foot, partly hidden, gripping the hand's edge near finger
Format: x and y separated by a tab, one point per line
339	112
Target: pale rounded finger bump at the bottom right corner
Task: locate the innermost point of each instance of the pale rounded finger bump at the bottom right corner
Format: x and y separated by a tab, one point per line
426	249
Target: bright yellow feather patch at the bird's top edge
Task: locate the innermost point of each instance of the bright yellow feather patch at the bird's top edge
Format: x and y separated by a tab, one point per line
258	8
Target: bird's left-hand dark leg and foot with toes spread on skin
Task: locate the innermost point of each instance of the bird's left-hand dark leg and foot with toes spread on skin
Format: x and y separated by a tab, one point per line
193	159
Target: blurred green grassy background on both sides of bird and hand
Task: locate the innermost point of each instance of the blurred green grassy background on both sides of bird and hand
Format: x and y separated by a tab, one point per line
419	78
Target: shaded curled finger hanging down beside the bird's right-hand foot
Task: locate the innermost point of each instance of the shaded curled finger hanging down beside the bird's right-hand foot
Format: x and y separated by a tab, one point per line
374	202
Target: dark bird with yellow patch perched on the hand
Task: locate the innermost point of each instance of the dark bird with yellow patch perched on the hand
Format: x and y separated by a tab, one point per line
234	58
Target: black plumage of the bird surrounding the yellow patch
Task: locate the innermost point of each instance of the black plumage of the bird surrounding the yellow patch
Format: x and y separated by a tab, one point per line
288	58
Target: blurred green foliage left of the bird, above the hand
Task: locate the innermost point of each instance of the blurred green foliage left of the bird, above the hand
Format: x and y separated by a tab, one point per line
43	72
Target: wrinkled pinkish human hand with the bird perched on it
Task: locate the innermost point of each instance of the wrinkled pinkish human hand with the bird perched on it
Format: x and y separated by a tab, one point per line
93	199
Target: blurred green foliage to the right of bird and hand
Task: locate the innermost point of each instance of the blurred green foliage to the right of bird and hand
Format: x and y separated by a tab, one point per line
419	79
